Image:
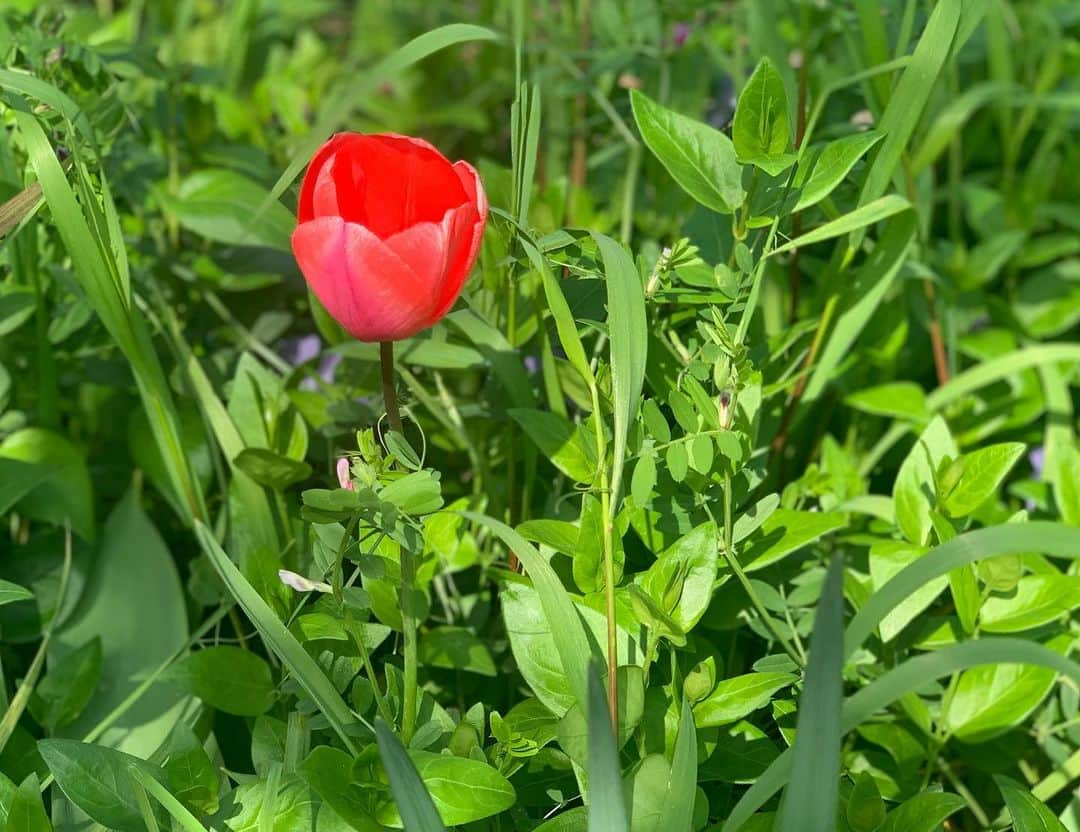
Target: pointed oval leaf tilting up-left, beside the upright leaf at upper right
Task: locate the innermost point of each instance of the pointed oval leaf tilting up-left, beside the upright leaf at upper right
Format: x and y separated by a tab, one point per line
703	160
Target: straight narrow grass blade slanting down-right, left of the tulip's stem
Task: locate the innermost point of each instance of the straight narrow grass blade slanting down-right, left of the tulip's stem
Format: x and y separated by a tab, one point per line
281	641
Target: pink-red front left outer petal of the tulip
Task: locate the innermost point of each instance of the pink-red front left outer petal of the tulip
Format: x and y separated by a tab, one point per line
363	284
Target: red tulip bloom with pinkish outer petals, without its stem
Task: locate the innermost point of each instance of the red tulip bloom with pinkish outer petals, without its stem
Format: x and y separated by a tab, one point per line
388	233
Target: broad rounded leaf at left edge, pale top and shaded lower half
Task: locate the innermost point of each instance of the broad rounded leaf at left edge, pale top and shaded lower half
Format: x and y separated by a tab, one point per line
65	493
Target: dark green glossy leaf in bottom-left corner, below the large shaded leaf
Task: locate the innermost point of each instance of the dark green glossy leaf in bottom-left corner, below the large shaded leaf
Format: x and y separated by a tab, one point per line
97	781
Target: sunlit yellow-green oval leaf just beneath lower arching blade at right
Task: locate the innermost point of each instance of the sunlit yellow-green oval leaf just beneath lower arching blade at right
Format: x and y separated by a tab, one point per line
993	699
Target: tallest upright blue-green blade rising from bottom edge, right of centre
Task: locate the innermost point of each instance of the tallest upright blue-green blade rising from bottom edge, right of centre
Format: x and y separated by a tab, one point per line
812	798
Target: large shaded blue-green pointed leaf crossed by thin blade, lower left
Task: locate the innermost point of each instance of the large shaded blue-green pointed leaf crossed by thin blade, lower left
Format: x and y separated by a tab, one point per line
133	565
